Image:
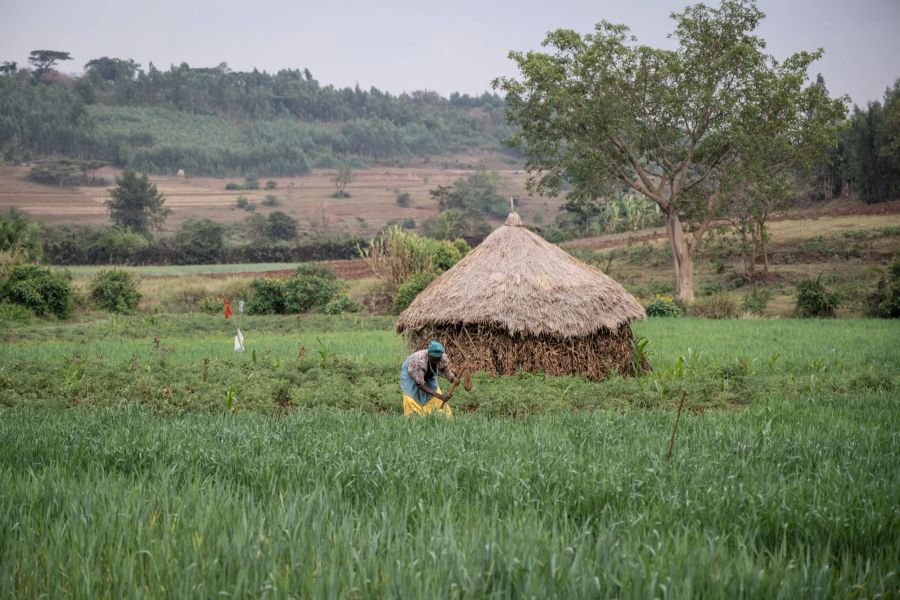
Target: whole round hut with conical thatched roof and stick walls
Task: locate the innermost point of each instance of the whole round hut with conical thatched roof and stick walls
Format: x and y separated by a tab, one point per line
519	302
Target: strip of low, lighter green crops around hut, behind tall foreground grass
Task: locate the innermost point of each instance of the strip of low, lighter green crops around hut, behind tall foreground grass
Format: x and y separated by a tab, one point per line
173	363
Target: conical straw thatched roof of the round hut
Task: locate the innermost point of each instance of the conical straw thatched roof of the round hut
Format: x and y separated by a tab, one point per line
517	281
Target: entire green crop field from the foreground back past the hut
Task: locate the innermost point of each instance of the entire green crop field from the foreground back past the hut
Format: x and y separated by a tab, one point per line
130	469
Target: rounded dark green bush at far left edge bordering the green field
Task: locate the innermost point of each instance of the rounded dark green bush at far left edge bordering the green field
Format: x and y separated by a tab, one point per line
38	289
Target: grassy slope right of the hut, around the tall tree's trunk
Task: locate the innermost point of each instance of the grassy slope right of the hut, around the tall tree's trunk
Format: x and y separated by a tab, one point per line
849	252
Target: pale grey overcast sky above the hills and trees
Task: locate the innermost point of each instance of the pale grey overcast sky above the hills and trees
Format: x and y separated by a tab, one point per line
407	45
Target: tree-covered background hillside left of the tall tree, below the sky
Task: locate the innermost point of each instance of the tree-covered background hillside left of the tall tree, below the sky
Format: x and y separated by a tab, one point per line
218	122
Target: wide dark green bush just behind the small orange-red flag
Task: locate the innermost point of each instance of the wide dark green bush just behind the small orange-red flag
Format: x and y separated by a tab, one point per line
311	286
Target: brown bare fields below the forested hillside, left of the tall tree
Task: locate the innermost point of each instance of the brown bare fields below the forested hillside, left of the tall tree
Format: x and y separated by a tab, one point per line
371	205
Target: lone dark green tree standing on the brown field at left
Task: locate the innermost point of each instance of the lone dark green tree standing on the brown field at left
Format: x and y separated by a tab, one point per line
137	204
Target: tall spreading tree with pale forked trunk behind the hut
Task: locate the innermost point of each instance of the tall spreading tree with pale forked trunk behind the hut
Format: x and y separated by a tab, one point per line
678	126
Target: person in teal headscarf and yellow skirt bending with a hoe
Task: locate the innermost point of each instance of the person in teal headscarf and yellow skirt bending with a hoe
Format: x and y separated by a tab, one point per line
418	380
